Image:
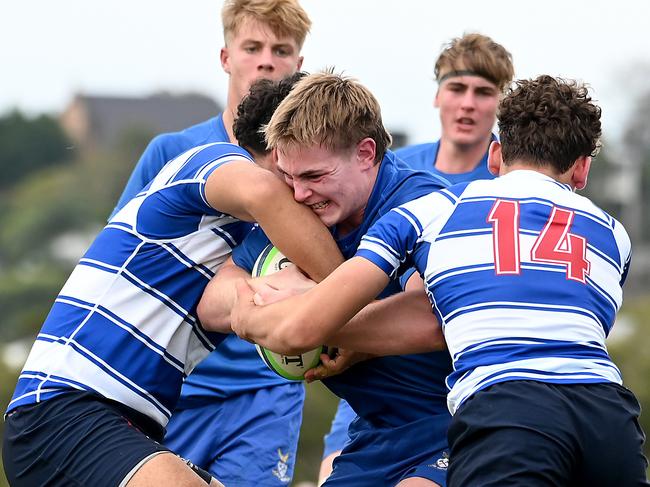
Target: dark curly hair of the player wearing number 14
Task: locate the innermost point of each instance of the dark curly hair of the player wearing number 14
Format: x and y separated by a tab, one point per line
548	122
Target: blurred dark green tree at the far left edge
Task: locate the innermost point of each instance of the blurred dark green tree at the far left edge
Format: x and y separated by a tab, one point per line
28	145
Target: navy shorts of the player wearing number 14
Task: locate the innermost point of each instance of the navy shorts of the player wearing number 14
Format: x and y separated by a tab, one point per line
541	434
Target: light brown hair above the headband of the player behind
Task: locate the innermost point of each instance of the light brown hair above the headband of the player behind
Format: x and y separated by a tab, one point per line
478	54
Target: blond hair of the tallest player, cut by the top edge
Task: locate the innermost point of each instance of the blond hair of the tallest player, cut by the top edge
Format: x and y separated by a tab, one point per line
285	18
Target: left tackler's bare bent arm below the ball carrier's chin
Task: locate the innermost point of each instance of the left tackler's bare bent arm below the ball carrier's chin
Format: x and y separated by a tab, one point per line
251	193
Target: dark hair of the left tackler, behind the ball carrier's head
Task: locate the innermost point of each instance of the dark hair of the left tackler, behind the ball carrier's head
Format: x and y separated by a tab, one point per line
256	108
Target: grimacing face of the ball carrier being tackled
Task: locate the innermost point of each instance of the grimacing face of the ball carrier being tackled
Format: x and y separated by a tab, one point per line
334	184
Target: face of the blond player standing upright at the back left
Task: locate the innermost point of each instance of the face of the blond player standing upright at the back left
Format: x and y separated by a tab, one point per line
255	52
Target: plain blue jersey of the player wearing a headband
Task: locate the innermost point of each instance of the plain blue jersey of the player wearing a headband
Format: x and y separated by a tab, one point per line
423	157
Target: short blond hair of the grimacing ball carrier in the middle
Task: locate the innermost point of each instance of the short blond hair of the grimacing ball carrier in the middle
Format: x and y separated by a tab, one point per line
331	110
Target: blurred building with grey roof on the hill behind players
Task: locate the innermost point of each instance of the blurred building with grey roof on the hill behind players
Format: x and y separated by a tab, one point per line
99	122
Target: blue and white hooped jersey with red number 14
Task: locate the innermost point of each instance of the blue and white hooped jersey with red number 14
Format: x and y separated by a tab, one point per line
524	276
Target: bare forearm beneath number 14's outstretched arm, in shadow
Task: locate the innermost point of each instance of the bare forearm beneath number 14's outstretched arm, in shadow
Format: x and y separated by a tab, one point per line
400	324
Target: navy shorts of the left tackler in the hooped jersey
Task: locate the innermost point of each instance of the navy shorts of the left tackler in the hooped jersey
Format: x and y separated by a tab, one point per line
76	439
